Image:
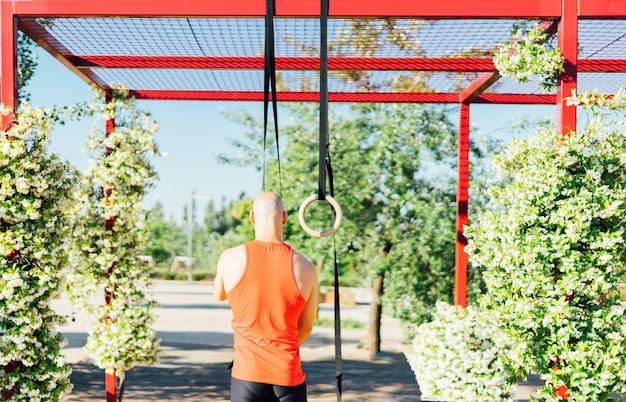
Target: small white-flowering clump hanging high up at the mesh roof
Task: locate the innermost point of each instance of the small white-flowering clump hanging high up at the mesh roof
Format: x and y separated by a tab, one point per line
528	54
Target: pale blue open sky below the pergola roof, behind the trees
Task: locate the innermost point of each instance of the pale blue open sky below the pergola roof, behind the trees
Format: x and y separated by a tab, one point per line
192	132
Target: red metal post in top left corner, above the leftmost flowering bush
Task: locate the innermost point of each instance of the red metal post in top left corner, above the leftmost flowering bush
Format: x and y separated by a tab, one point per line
8	58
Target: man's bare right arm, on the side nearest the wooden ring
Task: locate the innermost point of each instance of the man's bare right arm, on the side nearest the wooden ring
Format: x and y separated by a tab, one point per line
306	276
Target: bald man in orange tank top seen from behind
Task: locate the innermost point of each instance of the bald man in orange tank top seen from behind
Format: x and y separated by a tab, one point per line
273	293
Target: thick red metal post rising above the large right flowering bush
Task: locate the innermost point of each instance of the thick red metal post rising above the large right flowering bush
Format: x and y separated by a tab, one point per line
568	43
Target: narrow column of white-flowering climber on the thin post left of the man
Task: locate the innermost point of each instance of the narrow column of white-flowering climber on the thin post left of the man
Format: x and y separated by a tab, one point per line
112	234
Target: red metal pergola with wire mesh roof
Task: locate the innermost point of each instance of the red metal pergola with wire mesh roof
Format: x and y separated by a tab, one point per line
213	50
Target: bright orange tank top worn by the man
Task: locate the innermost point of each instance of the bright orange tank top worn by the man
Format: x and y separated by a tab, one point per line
266	305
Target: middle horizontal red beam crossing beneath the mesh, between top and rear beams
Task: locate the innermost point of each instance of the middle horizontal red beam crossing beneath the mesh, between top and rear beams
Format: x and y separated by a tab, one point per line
286	63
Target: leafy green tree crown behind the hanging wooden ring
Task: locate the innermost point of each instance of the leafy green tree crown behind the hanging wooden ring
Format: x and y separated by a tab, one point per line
394	172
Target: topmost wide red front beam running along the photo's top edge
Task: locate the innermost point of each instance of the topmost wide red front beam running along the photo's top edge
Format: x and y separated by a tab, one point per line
300	8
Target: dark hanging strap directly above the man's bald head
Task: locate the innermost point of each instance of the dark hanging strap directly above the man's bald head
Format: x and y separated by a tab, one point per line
270	77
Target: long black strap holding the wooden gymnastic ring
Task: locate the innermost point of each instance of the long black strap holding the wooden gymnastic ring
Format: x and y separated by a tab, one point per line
324	167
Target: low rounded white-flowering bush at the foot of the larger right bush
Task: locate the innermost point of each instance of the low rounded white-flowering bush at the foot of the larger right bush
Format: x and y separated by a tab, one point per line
455	358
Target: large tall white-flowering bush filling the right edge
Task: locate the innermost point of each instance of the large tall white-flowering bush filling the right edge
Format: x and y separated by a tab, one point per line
553	252
